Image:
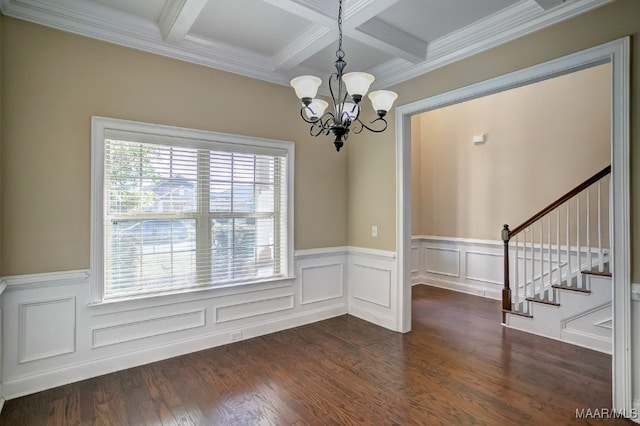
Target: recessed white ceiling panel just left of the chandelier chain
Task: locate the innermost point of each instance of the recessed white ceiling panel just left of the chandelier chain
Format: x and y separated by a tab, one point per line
249	24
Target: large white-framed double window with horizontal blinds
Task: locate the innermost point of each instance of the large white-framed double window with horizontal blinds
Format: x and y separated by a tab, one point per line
177	209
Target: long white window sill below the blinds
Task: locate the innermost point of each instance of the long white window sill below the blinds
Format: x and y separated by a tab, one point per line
185	295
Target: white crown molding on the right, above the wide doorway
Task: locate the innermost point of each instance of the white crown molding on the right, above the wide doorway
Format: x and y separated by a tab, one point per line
509	24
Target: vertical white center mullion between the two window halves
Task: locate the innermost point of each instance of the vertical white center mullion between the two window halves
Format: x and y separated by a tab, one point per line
203	220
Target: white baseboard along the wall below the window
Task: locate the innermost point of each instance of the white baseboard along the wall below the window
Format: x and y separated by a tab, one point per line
73	373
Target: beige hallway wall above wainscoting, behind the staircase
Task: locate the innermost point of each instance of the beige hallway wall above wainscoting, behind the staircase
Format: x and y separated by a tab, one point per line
542	140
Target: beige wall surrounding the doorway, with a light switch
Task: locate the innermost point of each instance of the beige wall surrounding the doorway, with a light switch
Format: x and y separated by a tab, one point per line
371	163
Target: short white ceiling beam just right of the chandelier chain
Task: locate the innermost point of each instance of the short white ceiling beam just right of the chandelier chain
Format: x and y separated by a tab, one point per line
389	39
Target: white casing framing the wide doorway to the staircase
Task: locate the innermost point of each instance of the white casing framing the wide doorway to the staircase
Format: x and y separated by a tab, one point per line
617	55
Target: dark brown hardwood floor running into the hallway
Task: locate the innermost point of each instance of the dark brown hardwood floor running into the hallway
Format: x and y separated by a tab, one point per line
458	366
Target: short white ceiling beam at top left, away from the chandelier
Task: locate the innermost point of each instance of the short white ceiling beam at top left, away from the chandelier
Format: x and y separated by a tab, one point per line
177	18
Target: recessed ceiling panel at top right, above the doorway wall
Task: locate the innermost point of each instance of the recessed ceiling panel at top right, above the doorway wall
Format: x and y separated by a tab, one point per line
431	19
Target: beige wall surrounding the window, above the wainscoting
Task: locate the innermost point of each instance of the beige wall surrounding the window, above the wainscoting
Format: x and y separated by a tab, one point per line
55	81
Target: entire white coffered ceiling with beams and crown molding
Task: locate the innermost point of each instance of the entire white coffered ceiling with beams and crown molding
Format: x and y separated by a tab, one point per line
275	40
